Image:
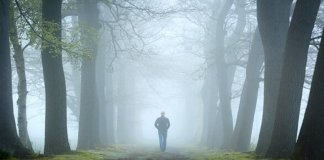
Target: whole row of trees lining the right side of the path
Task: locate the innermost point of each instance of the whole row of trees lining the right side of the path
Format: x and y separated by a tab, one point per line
285	44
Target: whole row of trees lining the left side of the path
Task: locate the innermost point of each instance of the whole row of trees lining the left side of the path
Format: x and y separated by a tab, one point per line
41	25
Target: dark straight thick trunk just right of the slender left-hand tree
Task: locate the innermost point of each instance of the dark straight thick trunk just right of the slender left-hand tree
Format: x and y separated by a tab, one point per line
56	137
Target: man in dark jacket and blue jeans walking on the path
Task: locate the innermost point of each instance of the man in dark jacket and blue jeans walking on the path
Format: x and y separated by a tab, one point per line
162	124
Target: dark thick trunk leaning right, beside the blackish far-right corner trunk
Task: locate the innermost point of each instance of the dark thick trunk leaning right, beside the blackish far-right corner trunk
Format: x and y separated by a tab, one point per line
292	79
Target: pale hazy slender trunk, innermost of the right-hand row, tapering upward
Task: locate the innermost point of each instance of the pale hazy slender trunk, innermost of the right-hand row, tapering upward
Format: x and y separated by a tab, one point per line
209	92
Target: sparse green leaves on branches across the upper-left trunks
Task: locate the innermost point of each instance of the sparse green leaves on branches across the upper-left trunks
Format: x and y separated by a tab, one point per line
39	34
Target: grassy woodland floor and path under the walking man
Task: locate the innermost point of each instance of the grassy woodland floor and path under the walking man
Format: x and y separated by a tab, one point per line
132	152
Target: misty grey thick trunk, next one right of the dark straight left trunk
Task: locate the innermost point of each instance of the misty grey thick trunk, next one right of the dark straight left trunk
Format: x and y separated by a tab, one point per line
89	106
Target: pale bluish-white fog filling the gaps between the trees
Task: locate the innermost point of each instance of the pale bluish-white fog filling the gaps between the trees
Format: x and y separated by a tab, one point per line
154	59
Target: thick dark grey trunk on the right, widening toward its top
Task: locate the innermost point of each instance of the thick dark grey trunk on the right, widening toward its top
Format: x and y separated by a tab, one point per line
273	20
